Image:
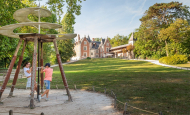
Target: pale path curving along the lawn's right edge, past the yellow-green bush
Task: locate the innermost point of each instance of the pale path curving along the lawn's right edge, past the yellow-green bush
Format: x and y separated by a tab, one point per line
157	62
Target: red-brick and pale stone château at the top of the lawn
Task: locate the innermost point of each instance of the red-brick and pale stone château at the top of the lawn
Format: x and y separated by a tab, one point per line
86	47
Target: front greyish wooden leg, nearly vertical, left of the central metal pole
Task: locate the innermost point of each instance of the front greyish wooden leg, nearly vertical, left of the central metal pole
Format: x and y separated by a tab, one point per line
33	73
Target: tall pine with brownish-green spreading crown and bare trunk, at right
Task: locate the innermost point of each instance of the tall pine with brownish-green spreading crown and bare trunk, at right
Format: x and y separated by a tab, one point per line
165	14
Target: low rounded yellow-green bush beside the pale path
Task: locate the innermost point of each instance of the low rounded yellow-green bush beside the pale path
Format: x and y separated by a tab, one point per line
175	59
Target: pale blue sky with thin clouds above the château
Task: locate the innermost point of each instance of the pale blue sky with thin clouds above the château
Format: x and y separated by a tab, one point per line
107	18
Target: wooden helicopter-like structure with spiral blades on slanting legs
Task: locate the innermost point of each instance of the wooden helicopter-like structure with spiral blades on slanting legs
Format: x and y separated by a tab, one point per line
22	17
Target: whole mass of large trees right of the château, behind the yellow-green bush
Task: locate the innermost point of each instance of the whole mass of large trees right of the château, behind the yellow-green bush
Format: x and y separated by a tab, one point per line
164	31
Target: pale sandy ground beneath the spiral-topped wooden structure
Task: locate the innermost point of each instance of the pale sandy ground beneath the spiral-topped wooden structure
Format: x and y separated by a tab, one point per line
84	103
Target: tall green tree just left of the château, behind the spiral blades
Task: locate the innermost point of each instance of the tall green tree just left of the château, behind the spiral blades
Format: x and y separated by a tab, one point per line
66	46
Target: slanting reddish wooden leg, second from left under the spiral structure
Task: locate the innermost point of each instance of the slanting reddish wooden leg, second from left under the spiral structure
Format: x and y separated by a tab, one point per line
17	70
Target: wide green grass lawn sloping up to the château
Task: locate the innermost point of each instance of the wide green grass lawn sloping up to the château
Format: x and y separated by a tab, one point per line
142	84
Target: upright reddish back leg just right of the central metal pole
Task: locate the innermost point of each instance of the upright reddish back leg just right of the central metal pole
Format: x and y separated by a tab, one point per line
42	74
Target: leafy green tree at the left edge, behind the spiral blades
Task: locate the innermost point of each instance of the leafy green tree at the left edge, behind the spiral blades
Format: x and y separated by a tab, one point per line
8	45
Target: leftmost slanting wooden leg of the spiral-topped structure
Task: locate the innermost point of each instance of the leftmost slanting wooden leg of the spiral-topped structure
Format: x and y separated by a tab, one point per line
10	68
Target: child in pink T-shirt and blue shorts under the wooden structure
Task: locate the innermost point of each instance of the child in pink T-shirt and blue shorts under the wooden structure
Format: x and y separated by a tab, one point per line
48	78
